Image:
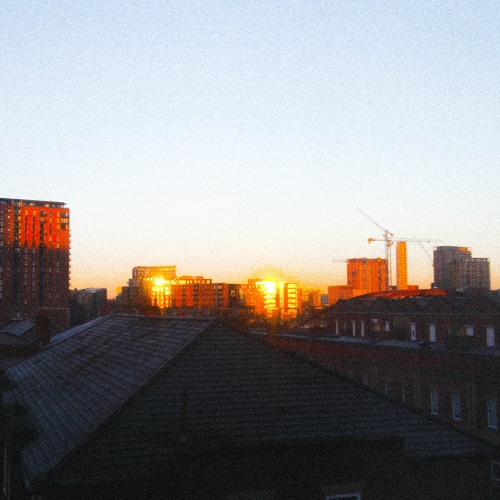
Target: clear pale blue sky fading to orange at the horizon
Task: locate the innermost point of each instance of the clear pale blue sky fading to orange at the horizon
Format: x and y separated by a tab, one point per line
239	139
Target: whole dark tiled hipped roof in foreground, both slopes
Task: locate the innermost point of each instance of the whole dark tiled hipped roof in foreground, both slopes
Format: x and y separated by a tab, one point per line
223	389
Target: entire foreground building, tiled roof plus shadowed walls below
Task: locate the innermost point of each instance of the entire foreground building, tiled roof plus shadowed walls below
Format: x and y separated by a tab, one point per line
155	407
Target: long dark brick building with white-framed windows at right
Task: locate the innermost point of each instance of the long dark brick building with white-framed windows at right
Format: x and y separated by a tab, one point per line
438	354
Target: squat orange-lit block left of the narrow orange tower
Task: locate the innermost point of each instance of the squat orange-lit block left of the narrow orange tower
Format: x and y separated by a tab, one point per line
369	275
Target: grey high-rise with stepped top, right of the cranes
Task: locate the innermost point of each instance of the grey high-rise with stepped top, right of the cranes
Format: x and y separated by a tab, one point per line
456	269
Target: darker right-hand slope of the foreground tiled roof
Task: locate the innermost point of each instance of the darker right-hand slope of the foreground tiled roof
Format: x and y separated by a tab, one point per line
229	390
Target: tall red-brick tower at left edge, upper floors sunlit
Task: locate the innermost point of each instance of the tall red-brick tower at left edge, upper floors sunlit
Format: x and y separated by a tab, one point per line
34	261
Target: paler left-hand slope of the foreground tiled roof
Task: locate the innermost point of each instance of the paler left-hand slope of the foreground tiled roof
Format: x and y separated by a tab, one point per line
72	387
